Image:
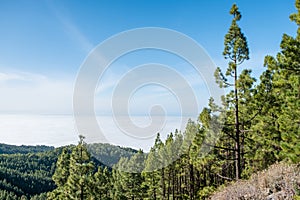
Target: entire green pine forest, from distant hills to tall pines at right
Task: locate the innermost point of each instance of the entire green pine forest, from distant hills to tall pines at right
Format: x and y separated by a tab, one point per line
258	124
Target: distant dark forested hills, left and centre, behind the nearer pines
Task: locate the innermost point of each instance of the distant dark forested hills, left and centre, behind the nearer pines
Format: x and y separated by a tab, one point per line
27	170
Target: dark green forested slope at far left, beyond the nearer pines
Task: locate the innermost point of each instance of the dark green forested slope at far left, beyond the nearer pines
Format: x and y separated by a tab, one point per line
26	174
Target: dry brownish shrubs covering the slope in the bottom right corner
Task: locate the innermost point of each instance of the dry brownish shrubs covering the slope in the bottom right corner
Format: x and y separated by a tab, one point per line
280	181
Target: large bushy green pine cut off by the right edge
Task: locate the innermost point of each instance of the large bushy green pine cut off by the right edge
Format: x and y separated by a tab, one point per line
284	73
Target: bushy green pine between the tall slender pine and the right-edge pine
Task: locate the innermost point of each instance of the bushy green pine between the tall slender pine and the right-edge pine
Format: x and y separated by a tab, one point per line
266	136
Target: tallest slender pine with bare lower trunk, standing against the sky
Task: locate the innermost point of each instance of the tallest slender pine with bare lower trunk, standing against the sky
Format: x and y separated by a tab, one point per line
236	50
